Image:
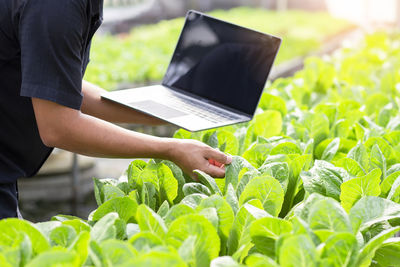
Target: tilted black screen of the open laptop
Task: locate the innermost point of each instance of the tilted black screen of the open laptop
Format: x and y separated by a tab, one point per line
222	62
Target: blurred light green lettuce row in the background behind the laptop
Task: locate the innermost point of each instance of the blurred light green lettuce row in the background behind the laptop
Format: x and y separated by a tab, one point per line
142	55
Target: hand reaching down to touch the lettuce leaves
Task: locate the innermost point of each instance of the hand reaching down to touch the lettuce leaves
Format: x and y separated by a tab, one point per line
191	155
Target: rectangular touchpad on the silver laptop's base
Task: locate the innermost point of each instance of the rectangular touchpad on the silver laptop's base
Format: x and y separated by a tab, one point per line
157	109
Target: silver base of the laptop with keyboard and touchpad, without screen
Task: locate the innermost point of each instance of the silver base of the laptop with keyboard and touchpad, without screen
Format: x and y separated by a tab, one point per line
173	107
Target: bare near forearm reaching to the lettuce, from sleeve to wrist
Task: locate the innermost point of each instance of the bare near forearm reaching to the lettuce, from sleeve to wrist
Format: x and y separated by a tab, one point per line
84	134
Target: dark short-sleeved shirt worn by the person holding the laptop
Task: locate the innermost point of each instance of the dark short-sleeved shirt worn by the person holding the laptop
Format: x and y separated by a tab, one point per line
44	51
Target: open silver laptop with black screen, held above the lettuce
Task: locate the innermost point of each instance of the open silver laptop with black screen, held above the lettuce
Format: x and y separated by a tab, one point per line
215	78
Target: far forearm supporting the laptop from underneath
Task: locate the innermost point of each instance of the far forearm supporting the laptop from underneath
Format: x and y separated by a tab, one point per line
95	106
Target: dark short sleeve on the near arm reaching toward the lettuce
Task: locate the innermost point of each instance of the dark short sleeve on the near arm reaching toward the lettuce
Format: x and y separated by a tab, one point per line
52	44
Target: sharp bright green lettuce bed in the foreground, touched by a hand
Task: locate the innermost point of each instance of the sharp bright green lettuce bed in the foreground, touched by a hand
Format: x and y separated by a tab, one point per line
315	181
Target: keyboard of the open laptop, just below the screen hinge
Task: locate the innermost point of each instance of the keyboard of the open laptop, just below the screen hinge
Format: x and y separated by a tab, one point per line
199	109
